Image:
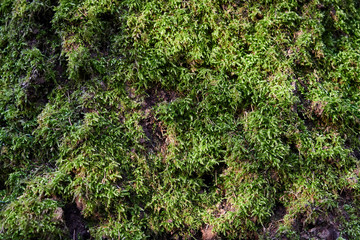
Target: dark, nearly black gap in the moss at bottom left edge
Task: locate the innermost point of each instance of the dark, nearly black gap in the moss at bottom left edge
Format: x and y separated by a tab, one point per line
75	223
